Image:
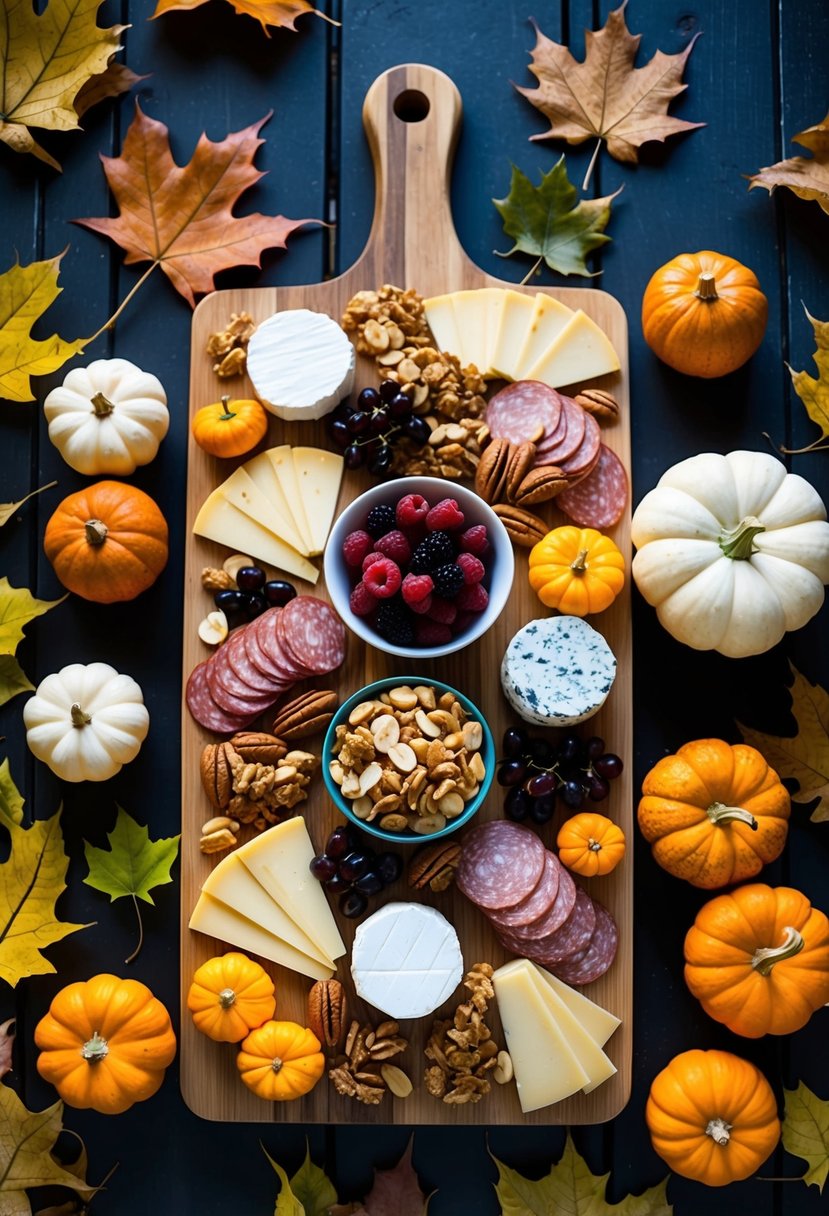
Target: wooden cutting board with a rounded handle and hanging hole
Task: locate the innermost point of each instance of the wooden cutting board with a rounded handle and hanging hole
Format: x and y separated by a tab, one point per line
413	117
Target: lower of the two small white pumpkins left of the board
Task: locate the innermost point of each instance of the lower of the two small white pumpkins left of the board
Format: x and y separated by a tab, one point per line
87	722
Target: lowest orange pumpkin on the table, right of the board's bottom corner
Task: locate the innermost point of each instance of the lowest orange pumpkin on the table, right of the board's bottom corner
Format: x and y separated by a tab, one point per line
713	1117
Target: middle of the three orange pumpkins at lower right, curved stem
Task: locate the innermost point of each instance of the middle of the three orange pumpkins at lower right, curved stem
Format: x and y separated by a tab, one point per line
758	960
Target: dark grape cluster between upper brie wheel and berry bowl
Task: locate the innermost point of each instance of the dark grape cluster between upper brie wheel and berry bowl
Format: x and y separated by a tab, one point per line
365	432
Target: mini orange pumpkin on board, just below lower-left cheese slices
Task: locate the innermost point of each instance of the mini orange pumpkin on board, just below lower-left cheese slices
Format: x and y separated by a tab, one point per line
230	997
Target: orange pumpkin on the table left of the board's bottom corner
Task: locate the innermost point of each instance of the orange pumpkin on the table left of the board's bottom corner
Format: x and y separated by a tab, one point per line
105	1044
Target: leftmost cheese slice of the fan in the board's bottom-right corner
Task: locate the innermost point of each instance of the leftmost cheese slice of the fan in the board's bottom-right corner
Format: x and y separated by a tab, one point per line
545	1066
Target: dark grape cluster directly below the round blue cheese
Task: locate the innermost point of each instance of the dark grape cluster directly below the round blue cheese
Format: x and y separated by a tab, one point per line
537	772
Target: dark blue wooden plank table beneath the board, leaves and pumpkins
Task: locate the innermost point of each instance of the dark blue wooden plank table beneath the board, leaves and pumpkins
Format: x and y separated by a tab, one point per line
757	77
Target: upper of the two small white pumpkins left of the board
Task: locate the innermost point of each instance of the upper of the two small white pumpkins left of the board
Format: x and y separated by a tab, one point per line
109	418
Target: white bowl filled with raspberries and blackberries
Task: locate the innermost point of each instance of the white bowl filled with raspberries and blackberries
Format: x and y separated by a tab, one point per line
418	572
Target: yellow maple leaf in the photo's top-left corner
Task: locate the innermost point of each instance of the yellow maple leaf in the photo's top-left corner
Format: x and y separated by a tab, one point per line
48	59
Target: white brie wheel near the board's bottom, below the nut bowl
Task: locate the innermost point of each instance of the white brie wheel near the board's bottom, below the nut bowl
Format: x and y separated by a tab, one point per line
407	960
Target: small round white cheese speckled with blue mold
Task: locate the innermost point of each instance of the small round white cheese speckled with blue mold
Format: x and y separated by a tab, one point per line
557	672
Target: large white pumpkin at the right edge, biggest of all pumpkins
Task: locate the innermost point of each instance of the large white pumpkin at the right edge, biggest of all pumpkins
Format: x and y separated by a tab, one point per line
734	551
